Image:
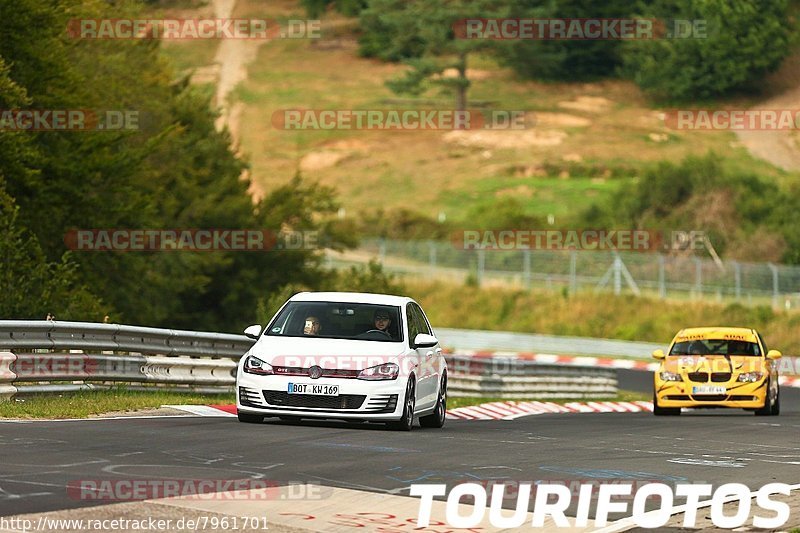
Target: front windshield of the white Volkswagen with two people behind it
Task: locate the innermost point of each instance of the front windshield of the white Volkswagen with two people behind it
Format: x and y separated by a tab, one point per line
337	320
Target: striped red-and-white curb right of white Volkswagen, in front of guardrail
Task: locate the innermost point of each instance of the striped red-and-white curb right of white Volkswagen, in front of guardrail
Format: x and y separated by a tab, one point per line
515	409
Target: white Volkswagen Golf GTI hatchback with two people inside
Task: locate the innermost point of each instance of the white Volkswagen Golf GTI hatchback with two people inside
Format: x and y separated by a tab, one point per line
350	356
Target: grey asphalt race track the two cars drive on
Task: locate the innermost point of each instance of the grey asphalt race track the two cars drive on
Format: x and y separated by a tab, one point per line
39	459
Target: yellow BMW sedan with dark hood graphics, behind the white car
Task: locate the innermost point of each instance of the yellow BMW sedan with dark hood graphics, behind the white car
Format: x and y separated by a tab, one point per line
717	367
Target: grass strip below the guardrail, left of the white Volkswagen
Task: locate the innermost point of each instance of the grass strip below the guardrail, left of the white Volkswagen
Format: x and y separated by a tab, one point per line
84	404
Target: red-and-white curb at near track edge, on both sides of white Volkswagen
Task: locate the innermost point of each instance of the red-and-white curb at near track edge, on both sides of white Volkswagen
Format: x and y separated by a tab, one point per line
486	411
